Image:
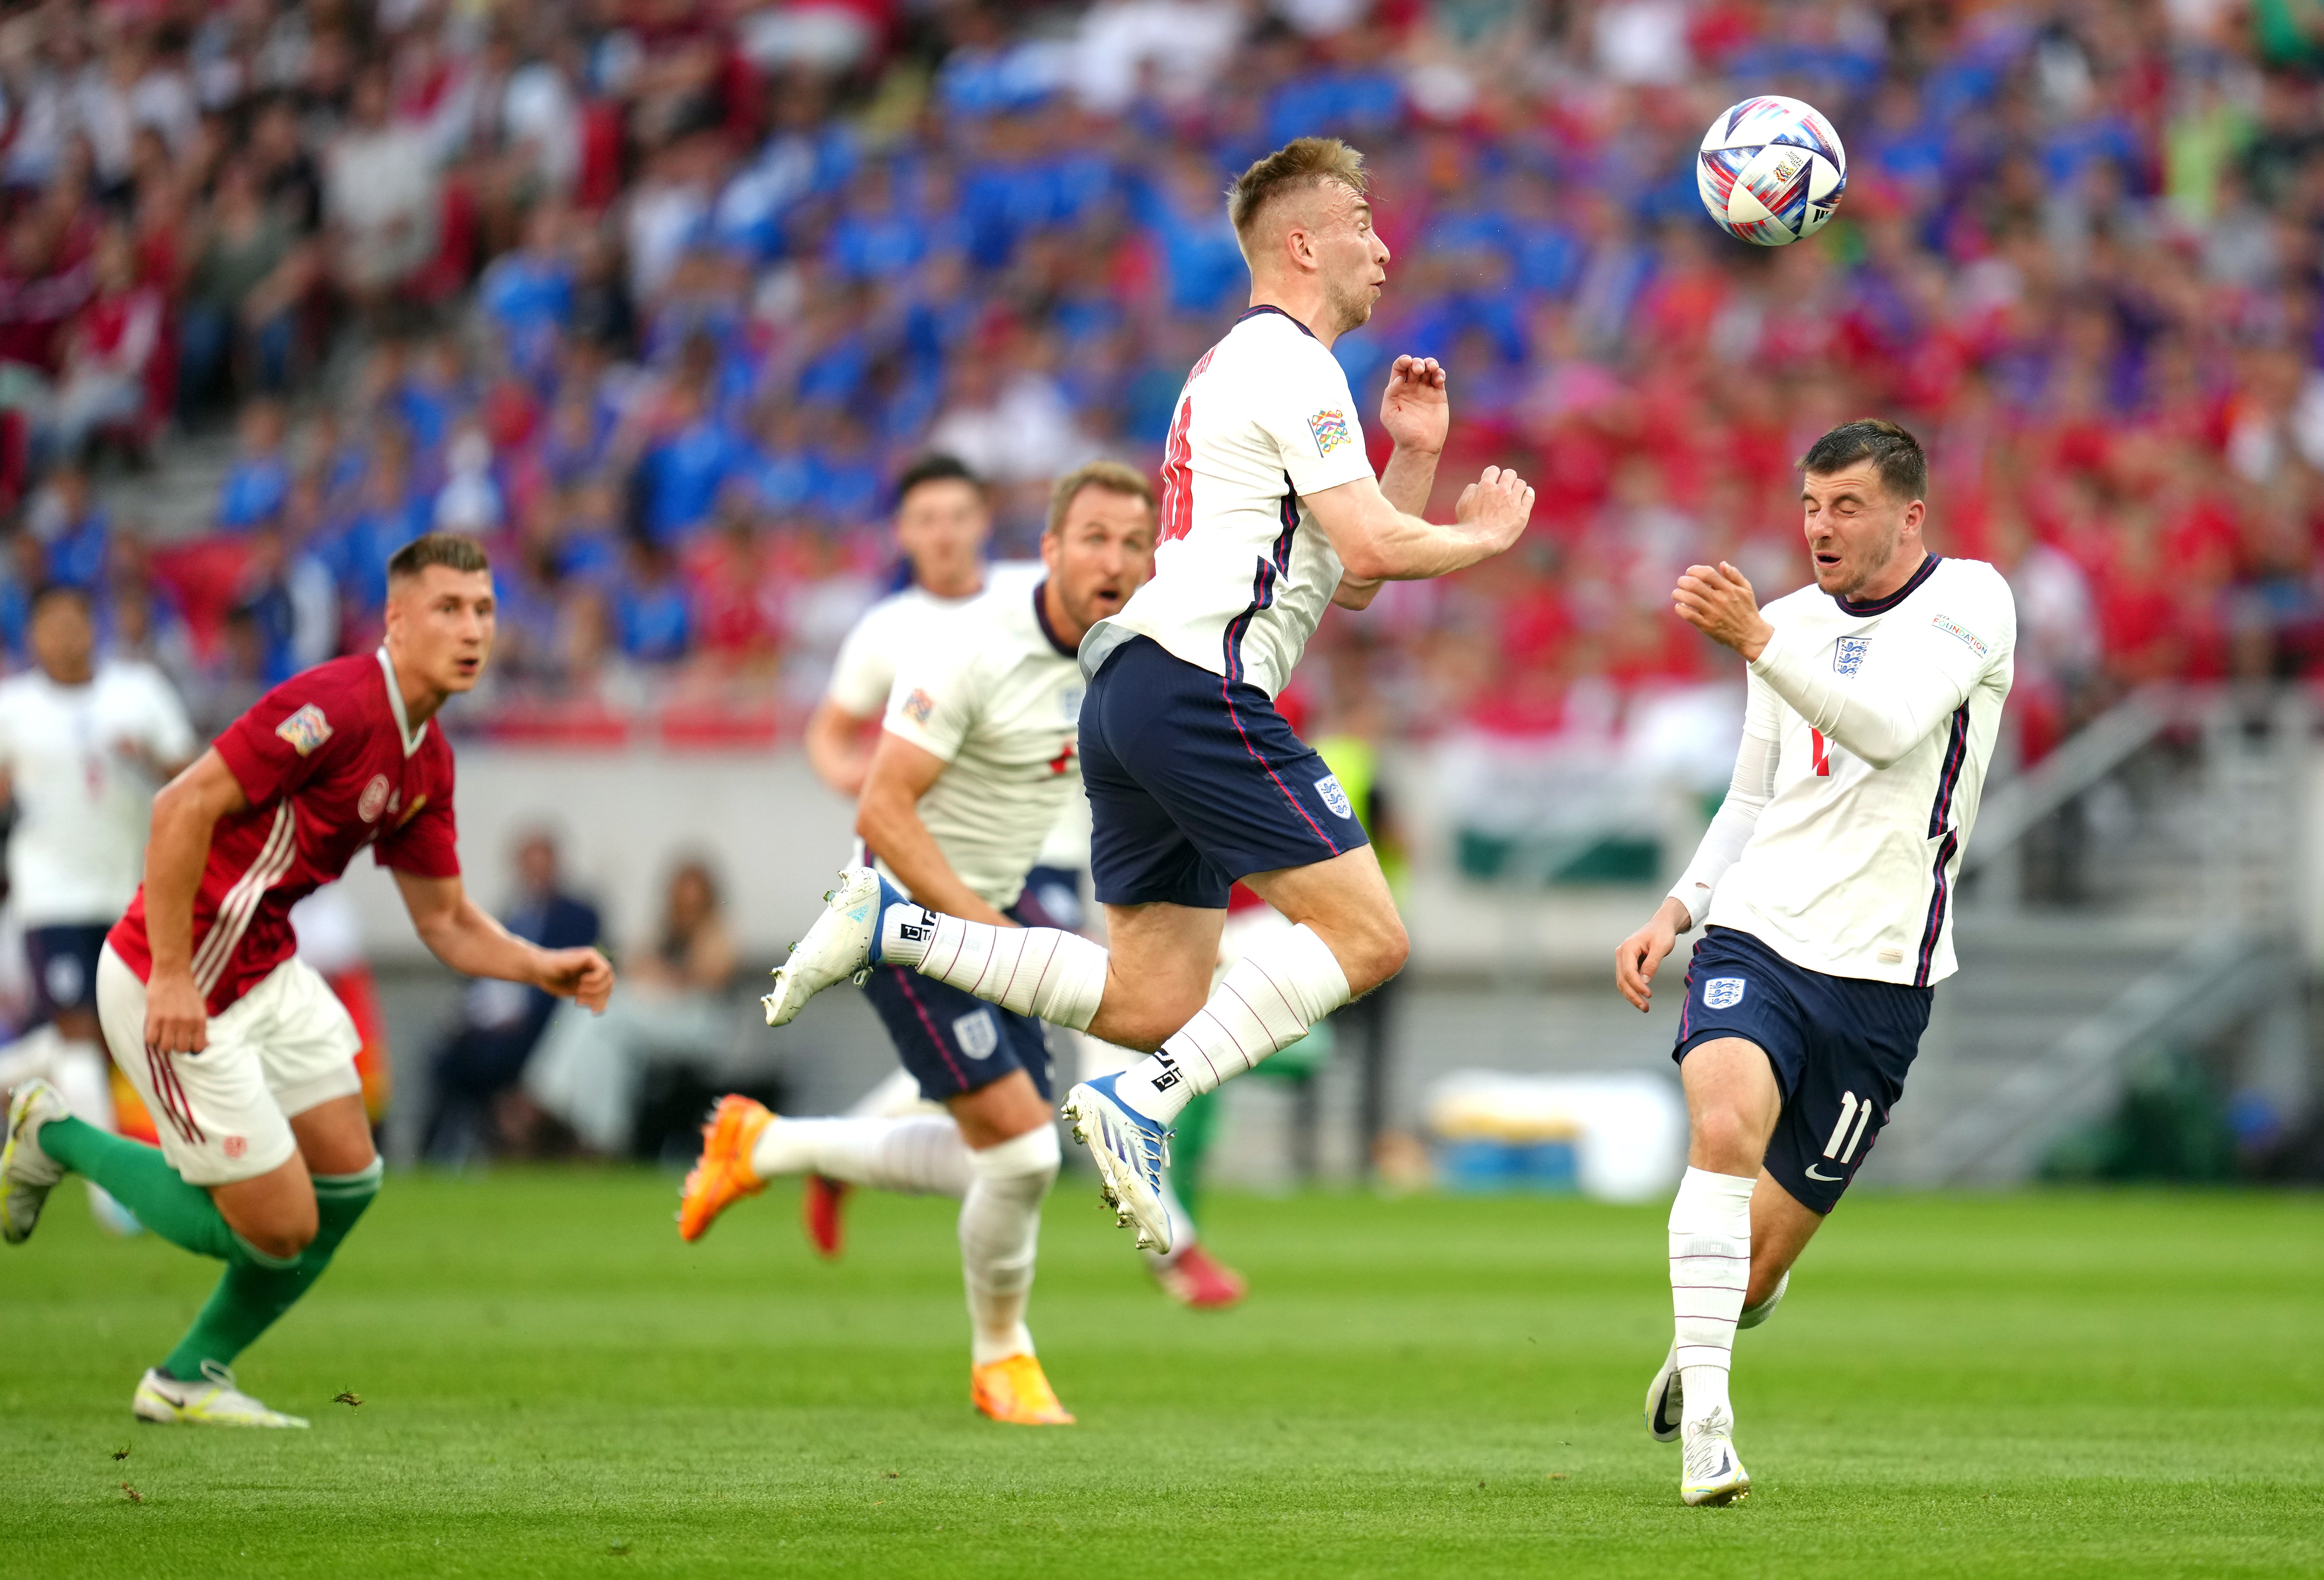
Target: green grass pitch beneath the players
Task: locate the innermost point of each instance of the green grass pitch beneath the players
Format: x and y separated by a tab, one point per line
554	1386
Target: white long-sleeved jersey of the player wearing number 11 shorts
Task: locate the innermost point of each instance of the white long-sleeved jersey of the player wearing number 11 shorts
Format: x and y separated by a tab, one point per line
1884	721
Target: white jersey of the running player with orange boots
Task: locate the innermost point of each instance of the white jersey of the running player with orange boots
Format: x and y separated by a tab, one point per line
998	698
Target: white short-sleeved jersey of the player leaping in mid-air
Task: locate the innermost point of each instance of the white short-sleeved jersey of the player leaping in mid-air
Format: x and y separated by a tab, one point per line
1242	570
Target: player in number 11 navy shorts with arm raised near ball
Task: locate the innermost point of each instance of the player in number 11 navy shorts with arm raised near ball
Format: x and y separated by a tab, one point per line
1828	889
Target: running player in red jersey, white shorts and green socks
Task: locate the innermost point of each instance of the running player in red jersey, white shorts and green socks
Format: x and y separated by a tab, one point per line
238	1049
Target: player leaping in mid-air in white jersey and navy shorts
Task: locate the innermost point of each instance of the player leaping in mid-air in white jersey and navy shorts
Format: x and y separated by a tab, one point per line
1270	512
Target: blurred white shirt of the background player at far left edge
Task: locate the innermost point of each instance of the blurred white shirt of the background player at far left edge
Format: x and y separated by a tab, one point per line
83	803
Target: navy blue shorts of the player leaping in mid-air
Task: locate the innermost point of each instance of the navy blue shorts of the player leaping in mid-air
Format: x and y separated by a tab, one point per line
1198	782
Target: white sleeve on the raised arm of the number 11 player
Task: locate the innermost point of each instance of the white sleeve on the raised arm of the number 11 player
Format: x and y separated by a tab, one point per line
1888	712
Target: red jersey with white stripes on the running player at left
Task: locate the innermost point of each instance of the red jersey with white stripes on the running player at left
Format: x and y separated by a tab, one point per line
329	768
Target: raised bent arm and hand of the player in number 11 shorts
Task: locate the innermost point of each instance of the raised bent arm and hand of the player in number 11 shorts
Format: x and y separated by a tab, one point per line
1877	724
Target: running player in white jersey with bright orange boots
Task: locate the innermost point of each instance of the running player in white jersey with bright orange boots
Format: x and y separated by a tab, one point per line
970	775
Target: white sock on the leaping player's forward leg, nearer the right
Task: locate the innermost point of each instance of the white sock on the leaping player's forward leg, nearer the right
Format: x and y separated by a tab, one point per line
1265	1003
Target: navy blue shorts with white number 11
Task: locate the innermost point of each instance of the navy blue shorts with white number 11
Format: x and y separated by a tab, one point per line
1839	1044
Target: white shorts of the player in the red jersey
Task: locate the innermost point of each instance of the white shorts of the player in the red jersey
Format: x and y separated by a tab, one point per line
224	1114
